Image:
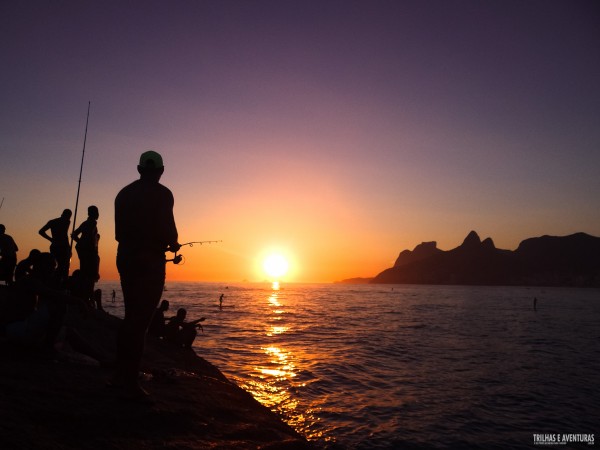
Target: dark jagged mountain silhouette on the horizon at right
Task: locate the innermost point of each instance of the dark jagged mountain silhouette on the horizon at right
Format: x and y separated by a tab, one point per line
543	261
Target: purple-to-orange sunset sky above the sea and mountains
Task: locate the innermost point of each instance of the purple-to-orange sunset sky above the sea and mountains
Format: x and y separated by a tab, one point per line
335	132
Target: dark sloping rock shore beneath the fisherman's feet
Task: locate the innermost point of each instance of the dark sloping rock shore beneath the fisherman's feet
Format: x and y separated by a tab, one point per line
62	401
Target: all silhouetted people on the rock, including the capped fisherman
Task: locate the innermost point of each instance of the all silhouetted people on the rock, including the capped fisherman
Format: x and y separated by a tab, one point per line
144	229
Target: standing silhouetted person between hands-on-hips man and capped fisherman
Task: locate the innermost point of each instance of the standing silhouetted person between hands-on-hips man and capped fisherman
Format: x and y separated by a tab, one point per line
86	238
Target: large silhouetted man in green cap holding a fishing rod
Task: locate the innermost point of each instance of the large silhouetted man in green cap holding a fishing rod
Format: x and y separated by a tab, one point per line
145	229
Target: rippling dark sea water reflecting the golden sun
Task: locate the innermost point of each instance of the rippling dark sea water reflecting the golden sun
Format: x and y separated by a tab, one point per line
411	367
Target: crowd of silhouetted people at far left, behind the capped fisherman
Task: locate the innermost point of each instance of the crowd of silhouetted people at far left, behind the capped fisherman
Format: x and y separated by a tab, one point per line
33	303
